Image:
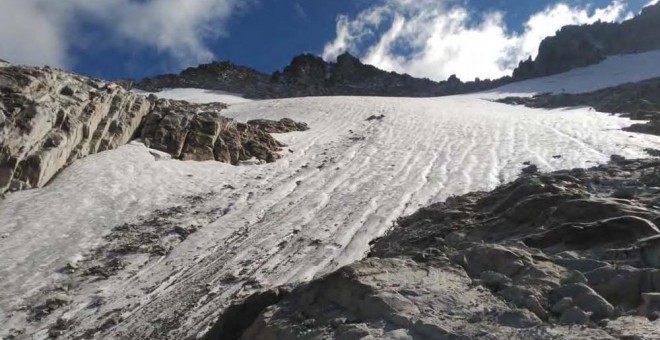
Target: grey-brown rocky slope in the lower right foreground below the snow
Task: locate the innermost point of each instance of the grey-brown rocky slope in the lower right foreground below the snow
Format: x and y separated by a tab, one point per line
569	254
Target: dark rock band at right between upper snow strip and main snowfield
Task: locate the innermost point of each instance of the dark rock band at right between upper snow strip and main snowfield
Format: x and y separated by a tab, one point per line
638	101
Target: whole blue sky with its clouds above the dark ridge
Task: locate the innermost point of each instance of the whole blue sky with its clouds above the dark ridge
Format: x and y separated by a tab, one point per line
148	37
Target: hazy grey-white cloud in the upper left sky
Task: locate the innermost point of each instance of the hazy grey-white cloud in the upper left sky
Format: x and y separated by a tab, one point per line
43	31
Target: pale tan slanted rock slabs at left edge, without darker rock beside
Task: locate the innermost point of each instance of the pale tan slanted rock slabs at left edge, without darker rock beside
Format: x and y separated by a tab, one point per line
49	118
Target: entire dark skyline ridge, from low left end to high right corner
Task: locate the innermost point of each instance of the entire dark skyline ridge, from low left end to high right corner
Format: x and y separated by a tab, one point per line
309	75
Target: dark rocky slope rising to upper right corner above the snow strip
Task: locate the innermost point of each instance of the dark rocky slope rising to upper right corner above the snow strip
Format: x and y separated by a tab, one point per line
578	46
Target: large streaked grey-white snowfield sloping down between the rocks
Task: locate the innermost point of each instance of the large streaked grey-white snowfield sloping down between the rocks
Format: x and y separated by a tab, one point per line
338	186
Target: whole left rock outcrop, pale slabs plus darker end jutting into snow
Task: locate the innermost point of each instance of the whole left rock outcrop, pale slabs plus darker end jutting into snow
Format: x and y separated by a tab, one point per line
50	118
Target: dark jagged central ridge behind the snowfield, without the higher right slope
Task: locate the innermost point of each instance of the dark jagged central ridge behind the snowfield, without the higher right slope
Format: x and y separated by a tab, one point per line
309	75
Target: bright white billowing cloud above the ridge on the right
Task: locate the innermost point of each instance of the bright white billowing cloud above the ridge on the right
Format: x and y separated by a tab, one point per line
435	38
